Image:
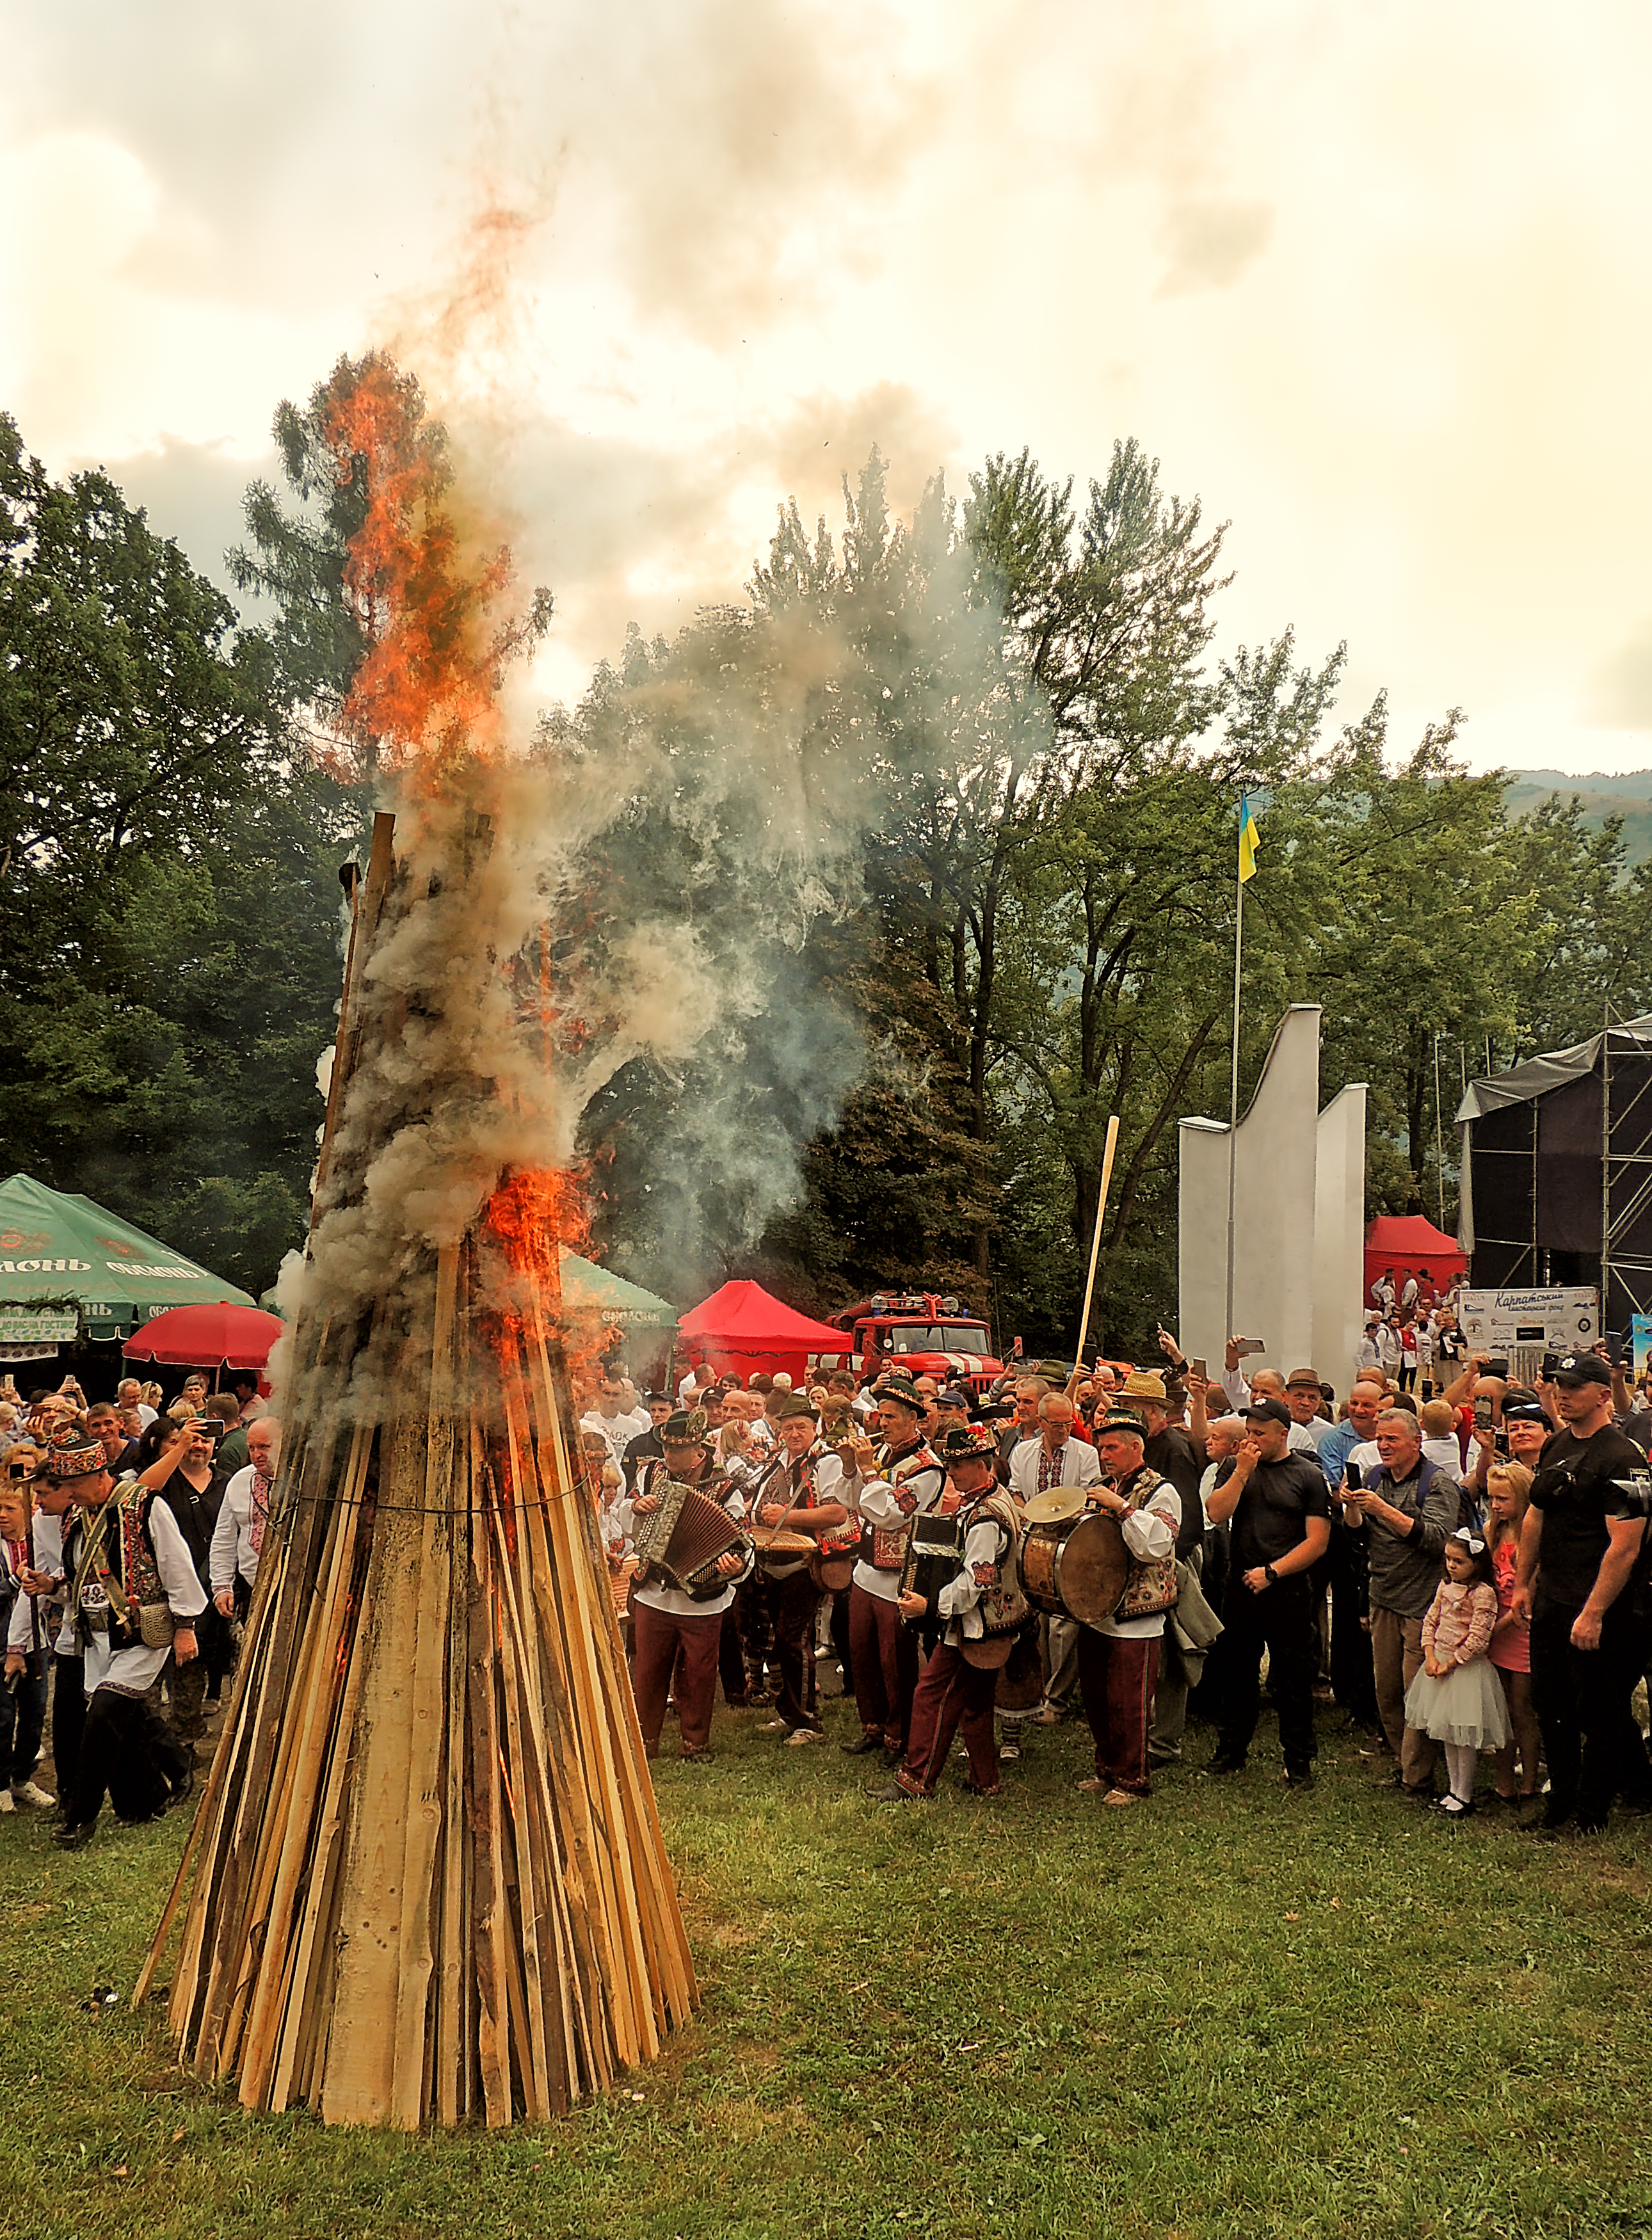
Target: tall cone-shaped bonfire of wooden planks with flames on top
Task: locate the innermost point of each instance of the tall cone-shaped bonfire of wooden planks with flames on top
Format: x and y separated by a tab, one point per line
427	1878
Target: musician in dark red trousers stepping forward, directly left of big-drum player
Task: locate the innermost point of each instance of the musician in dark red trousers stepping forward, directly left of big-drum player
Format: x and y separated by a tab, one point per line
976	1612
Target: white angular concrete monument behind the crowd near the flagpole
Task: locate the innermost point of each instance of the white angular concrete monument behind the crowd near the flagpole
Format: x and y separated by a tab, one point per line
1299	1217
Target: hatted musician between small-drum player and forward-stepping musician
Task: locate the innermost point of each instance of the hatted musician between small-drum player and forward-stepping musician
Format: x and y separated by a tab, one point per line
893	1484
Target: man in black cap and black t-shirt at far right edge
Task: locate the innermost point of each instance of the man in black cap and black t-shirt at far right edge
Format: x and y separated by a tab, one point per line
1588	1639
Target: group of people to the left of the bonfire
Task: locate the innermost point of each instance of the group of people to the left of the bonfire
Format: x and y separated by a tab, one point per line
129	1549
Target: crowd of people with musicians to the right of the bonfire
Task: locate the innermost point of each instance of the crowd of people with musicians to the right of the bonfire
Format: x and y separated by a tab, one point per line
1456	1562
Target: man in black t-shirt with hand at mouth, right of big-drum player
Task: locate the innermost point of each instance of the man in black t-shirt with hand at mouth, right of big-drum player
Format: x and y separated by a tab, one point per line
1281	1515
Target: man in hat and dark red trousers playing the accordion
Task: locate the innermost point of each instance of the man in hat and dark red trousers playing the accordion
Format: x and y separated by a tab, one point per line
676	1632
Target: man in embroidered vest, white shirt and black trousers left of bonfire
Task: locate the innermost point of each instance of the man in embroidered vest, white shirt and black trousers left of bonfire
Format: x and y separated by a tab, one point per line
131	1603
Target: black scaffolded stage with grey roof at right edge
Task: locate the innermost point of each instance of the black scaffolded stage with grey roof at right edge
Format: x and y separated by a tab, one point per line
1557	1173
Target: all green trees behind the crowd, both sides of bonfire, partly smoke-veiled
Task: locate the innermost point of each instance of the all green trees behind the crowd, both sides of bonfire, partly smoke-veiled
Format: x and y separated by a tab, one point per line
940	830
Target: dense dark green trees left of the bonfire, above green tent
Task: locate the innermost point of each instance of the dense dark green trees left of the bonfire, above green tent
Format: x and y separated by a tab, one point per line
169	888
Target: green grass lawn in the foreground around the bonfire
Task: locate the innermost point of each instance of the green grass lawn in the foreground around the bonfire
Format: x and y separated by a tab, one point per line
1227	2013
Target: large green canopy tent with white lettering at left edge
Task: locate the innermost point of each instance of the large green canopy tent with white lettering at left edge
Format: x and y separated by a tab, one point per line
71	1271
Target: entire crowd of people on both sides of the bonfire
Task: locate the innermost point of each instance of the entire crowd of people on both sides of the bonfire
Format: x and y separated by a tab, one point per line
1458	1565
